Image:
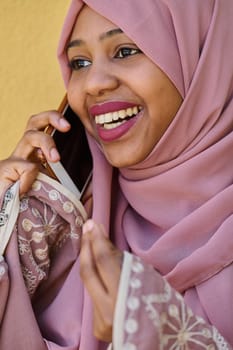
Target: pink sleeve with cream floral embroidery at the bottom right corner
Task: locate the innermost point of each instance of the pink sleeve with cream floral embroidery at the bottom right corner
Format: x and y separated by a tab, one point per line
151	315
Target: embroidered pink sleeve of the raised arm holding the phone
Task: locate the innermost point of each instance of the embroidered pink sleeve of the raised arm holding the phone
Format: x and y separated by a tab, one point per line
38	269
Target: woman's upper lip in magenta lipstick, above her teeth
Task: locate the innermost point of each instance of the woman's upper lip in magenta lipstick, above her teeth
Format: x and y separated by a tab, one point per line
110	106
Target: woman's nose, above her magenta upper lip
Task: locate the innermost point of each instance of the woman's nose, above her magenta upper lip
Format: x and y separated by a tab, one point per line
100	79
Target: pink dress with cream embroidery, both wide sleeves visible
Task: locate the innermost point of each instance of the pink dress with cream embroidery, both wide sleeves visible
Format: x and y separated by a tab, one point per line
39	277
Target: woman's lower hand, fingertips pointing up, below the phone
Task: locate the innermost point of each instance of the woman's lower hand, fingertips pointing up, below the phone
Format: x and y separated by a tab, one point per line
100	269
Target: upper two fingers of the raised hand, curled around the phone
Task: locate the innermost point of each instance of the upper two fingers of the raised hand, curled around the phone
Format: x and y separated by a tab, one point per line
35	138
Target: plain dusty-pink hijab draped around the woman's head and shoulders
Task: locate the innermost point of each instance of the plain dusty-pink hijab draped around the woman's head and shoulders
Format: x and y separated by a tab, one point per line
175	208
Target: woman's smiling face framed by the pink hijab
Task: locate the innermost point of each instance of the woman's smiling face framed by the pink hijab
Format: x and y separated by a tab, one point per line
123	99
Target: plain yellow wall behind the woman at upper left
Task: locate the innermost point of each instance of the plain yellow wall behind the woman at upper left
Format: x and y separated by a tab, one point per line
30	79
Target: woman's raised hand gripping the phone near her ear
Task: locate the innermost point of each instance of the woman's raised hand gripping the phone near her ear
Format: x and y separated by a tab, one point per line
34	146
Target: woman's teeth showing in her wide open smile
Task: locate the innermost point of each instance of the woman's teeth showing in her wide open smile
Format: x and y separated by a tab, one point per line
114	119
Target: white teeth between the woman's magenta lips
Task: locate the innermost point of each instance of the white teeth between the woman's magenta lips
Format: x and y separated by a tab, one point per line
114	116
